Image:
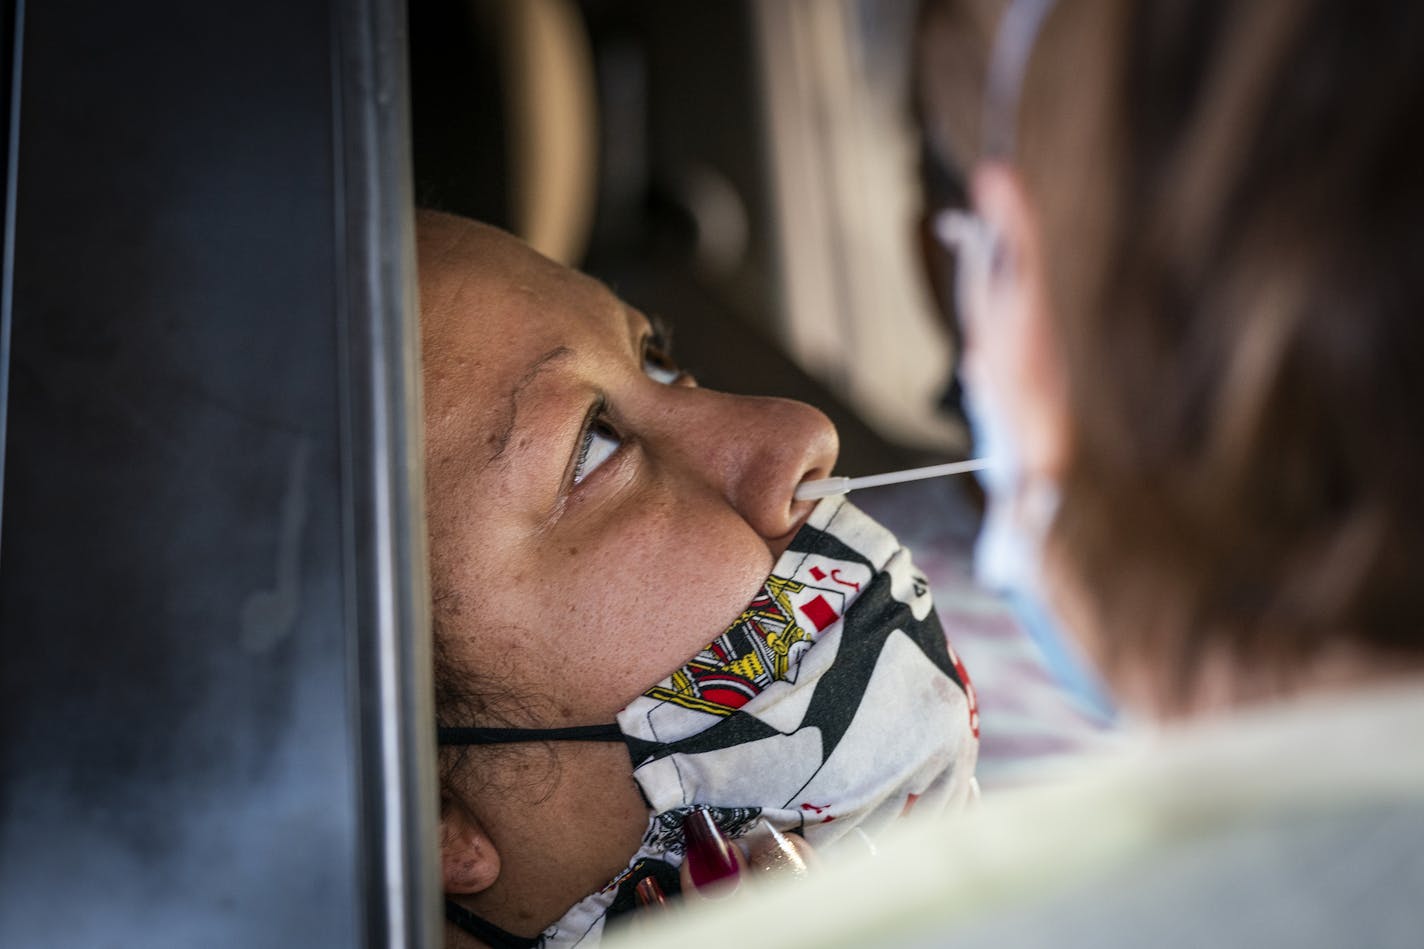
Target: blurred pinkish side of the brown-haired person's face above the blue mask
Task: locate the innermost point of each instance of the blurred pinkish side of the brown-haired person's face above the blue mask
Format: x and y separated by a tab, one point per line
1020	350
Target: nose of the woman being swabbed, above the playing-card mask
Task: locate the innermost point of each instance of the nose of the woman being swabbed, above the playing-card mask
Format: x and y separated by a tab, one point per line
760	450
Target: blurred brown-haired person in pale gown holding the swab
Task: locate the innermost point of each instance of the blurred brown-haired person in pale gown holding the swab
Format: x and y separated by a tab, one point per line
1193	296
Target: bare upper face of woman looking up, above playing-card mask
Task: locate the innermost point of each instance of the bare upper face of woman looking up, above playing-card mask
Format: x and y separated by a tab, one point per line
595	518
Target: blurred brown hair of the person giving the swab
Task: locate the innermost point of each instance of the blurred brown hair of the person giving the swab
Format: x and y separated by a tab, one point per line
1234	226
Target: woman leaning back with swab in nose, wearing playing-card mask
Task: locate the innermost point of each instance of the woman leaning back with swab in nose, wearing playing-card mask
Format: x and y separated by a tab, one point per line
647	652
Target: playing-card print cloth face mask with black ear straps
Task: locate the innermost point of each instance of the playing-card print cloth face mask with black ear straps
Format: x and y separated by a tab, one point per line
831	707
